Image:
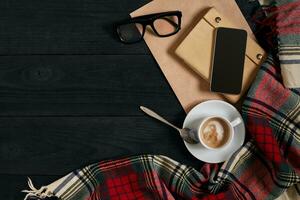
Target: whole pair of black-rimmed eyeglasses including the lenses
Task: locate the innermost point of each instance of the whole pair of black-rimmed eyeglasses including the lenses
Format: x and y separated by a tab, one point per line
162	24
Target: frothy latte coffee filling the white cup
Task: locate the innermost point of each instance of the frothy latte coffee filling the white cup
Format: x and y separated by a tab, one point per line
215	132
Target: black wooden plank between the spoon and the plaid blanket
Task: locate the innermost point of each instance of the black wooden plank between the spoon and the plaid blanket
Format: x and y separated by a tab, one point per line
56	146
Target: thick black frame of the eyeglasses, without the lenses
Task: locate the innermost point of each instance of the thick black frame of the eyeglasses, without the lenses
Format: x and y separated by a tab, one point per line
146	20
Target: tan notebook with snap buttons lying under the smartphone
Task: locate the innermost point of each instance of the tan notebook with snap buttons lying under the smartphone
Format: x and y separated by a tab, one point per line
197	50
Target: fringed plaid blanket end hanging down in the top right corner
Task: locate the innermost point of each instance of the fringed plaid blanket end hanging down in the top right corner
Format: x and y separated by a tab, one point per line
283	22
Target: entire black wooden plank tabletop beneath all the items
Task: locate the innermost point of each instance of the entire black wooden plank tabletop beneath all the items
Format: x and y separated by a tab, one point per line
70	91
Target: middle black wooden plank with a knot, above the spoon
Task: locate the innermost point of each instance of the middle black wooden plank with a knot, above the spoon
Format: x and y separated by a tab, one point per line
83	85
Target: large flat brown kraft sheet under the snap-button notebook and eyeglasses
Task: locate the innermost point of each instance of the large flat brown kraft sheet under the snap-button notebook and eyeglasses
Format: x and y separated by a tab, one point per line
188	86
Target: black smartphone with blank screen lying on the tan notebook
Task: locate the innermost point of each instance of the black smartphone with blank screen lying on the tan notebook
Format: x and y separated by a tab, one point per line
228	60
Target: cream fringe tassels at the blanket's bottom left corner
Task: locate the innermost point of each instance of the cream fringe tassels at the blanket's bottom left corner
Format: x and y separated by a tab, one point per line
41	193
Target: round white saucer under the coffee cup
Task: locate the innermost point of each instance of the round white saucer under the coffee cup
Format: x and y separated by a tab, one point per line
210	108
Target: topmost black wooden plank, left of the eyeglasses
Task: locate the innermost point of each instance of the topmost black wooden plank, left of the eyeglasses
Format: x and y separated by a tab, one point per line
64	27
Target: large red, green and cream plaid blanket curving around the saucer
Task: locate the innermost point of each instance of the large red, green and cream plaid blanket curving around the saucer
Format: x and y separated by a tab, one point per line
263	168
